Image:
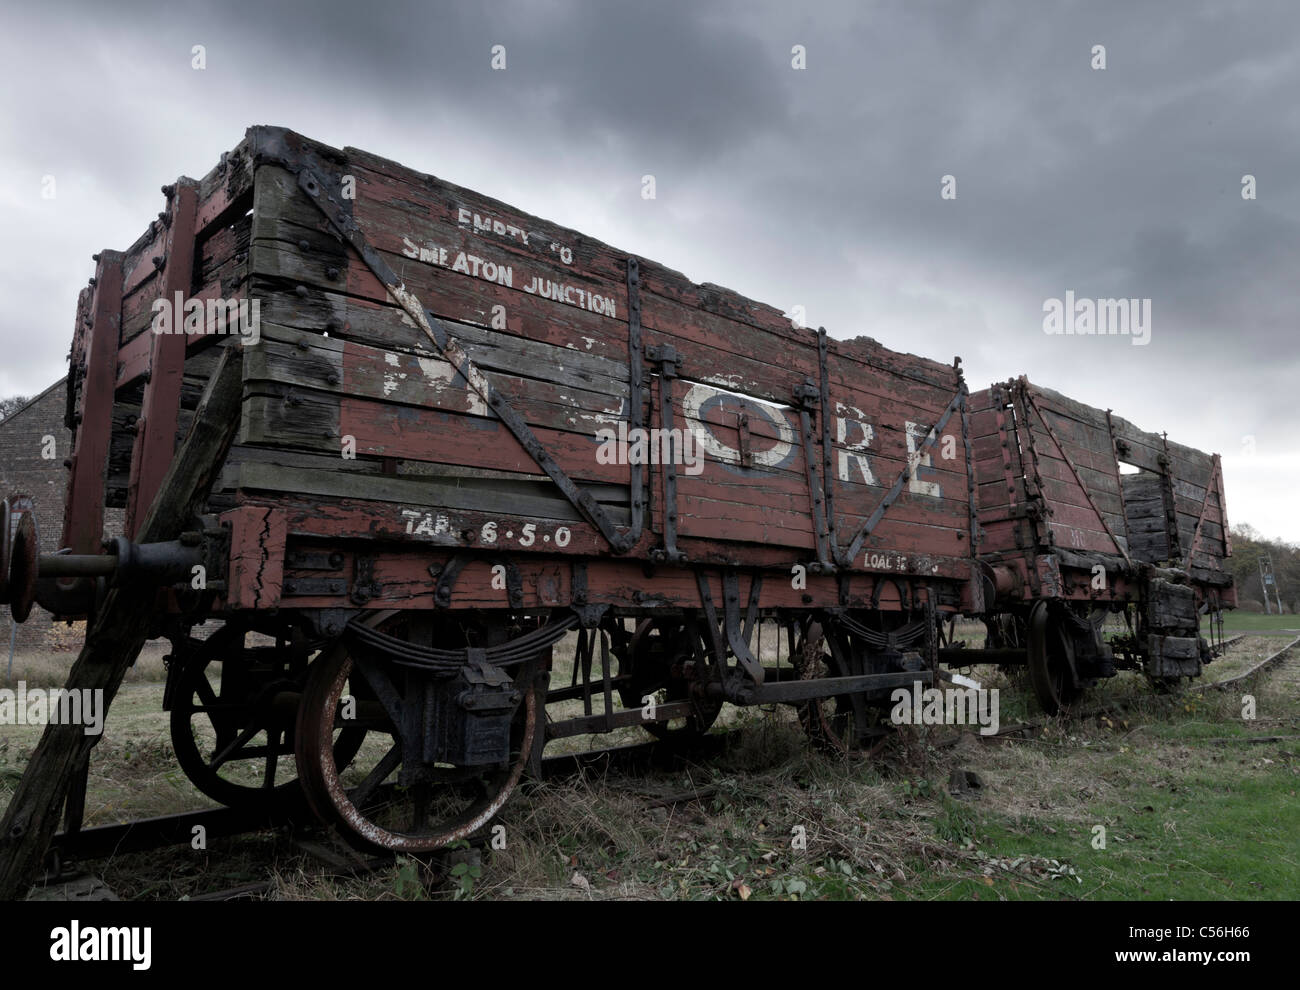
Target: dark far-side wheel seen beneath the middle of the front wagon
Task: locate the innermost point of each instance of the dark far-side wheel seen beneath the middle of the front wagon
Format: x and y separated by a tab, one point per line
658	654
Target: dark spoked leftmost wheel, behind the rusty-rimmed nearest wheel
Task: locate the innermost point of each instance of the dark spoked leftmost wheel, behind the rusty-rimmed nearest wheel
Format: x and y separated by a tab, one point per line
232	731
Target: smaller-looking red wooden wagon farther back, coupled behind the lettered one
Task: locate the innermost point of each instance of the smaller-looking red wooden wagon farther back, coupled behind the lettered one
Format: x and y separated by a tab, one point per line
1086	518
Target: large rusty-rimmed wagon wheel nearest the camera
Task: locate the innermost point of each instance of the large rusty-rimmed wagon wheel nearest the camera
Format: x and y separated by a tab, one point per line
366	800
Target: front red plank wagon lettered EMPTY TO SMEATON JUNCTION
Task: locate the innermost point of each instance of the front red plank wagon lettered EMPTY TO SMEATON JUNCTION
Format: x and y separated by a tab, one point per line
460	435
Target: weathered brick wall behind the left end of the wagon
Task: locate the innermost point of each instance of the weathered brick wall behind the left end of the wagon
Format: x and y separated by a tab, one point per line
24	471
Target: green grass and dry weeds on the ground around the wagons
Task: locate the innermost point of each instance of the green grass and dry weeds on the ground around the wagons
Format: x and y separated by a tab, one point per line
1190	806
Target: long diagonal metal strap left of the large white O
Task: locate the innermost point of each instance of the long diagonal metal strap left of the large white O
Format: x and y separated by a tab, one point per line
437	333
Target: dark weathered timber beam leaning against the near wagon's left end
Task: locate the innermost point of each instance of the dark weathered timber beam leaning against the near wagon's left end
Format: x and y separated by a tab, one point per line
119	633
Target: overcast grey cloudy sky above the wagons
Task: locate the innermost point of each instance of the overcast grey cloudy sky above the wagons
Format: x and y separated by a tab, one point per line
817	188
